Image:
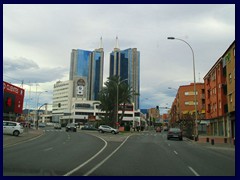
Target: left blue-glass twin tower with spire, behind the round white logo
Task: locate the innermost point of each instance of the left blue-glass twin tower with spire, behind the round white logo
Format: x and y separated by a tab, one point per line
86	71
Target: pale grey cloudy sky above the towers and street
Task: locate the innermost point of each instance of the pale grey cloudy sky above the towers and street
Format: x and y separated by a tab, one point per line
38	40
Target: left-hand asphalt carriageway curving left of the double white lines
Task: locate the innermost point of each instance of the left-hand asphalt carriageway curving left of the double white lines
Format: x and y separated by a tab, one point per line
54	153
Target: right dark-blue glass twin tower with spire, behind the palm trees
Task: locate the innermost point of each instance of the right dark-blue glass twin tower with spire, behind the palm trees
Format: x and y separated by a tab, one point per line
126	64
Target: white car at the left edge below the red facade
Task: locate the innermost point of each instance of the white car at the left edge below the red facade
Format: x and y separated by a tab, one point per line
13	128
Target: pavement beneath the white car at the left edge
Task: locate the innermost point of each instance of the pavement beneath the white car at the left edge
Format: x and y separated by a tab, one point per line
9	140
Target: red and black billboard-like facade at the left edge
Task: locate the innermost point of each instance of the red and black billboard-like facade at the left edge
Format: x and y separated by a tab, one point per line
13	97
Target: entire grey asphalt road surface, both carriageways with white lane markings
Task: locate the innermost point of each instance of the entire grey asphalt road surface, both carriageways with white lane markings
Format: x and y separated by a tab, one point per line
60	153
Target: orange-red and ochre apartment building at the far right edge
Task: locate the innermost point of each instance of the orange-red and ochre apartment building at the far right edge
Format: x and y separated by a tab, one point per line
220	96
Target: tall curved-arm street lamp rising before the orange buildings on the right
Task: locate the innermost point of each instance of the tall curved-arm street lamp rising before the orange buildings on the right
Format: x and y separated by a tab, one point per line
195	95
